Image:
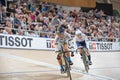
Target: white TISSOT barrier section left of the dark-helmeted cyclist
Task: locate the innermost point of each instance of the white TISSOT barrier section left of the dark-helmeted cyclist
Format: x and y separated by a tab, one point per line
25	42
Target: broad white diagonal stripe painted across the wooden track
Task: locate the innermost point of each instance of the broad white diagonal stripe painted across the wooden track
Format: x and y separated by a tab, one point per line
98	77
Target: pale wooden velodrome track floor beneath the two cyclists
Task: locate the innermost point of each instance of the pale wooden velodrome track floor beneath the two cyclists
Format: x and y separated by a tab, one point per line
16	64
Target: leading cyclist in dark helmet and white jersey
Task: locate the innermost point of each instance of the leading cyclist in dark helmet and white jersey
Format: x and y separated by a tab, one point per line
61	38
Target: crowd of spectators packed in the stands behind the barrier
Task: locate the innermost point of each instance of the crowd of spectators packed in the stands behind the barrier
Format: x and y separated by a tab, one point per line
41	20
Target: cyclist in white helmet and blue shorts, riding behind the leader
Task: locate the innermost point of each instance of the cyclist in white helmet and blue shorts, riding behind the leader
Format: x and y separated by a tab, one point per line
80	39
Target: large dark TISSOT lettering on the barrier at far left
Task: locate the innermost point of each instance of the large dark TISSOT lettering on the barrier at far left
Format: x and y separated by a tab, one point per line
15	41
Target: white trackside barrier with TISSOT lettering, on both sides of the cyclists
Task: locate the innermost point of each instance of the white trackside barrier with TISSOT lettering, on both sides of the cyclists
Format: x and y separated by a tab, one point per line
25	42
